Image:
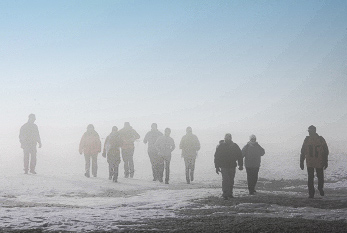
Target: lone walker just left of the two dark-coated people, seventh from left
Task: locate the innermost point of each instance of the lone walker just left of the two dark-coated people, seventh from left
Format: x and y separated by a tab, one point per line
190	145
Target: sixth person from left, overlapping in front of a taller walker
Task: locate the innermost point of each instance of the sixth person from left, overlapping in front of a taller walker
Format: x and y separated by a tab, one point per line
165	145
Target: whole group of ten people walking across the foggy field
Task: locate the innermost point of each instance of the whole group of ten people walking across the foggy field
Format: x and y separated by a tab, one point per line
227	157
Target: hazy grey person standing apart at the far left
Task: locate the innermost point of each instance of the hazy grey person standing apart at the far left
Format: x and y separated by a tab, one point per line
29	137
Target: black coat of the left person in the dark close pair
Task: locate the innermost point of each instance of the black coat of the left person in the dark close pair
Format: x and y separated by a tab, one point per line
228	155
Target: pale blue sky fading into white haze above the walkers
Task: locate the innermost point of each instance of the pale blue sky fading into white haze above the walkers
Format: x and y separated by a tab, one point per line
264	67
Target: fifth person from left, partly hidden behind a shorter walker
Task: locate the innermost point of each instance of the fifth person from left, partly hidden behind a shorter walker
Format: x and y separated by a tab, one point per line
150	138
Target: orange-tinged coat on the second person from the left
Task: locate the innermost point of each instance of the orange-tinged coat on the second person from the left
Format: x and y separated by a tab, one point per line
90	143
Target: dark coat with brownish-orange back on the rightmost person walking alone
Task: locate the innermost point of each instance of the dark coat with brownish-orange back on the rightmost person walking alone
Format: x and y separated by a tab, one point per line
315	151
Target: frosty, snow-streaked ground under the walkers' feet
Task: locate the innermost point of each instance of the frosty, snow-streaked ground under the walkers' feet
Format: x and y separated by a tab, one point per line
52	201
